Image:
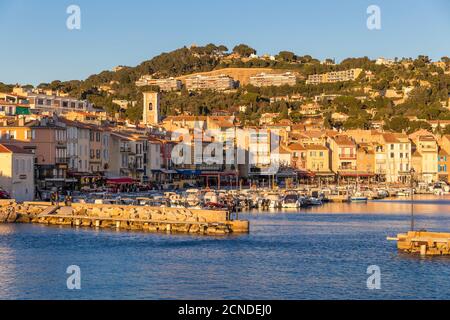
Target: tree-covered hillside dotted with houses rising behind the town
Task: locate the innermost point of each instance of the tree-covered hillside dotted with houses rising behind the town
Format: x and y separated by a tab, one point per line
392	93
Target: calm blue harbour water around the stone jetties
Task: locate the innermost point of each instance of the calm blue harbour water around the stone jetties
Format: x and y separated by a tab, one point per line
322	253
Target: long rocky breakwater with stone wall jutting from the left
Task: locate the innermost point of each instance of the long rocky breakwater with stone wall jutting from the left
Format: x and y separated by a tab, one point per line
156	219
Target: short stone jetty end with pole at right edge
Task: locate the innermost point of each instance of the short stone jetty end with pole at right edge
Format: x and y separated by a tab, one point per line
423	243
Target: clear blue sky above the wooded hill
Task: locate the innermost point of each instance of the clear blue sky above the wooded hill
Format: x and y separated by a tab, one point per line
37	46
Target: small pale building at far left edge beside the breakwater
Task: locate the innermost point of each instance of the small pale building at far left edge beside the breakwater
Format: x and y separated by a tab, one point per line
17	172
